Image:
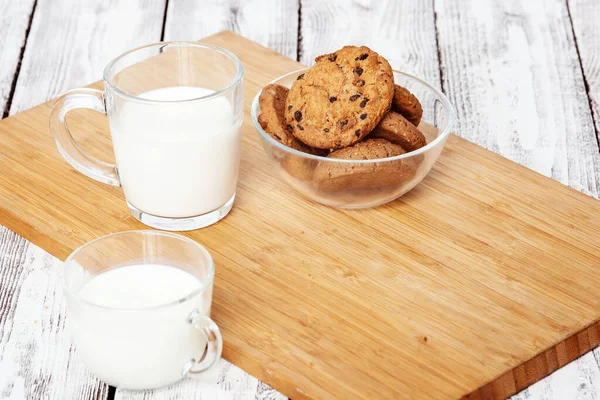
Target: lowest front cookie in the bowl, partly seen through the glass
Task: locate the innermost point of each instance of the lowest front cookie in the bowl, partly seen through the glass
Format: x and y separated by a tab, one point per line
330	176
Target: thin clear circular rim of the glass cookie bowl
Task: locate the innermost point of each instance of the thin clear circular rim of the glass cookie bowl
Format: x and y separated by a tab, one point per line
442	136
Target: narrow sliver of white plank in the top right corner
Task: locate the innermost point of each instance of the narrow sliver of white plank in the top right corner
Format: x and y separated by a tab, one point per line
585	15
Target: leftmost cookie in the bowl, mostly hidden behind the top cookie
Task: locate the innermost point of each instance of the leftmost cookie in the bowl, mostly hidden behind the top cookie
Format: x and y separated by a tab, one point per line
272	105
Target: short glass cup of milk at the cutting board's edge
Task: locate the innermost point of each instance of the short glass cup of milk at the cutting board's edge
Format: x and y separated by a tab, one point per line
139	308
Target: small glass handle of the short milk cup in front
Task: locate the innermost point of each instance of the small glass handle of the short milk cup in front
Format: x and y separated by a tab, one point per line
214	343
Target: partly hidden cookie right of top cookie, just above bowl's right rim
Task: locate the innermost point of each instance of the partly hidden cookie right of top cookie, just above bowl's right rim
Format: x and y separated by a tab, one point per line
397	129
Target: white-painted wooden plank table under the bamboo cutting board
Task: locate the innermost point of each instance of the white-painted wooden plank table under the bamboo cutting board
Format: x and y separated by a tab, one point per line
524	77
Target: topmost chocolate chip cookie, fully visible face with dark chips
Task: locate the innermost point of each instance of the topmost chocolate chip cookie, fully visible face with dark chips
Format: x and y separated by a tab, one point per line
340	99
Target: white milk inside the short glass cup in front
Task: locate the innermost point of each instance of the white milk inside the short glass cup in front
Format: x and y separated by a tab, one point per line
145	346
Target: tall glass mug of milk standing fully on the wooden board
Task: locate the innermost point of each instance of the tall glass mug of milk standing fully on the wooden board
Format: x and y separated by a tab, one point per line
175	111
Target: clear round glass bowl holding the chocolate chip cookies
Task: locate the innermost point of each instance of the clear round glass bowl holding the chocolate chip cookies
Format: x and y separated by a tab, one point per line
363	183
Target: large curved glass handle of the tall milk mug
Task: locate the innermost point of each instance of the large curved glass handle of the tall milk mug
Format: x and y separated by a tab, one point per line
68	147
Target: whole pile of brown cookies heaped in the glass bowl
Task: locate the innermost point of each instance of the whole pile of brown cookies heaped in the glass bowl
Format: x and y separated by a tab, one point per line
345	107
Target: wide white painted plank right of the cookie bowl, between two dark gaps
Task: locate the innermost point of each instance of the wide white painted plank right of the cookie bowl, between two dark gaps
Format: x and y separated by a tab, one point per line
511	70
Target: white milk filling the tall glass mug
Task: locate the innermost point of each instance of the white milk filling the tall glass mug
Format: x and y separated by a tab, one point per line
177	159
